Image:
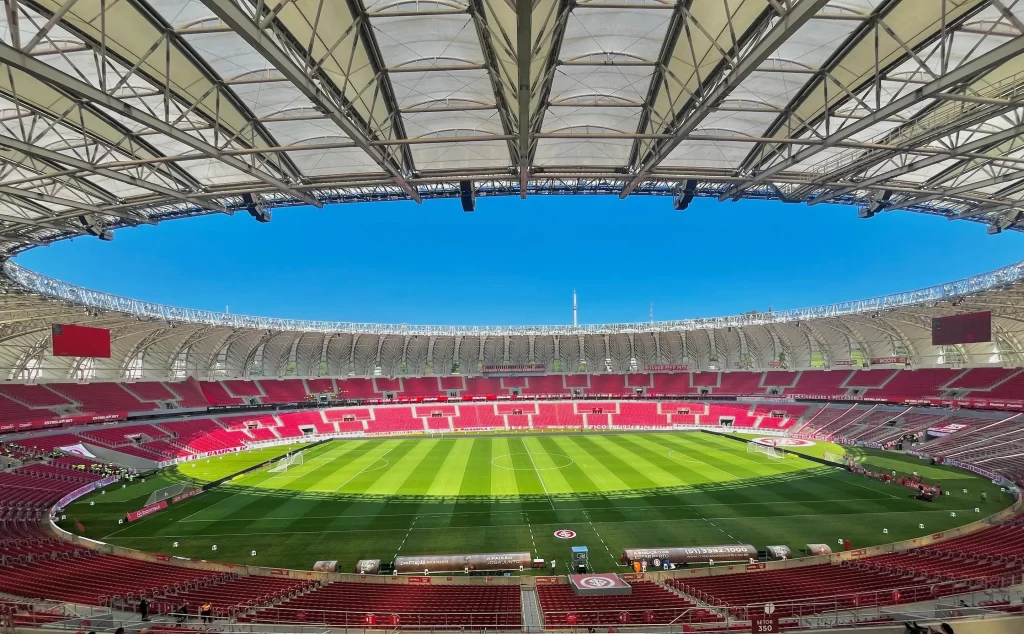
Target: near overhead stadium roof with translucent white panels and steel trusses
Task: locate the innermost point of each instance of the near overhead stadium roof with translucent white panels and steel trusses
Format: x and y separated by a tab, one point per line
133	112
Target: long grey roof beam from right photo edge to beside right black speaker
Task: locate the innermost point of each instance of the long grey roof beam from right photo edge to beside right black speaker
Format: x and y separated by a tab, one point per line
967	72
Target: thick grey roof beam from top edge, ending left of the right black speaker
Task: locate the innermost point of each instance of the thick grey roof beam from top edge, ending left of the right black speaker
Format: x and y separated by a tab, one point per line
788	24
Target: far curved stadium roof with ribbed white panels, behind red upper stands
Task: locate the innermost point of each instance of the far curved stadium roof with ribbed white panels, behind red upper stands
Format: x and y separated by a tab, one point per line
156	343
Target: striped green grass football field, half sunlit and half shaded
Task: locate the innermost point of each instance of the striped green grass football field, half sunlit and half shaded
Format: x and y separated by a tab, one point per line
378	498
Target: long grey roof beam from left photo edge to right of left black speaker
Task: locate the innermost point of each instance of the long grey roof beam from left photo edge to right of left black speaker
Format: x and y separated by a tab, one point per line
51	75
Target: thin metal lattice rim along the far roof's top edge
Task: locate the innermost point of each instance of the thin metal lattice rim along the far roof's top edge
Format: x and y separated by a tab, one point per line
51	287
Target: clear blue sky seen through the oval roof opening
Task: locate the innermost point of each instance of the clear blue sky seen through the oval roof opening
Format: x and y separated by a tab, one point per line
517	262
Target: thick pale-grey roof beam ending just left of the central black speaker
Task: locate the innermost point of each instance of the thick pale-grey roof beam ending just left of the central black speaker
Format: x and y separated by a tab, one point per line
246	27
